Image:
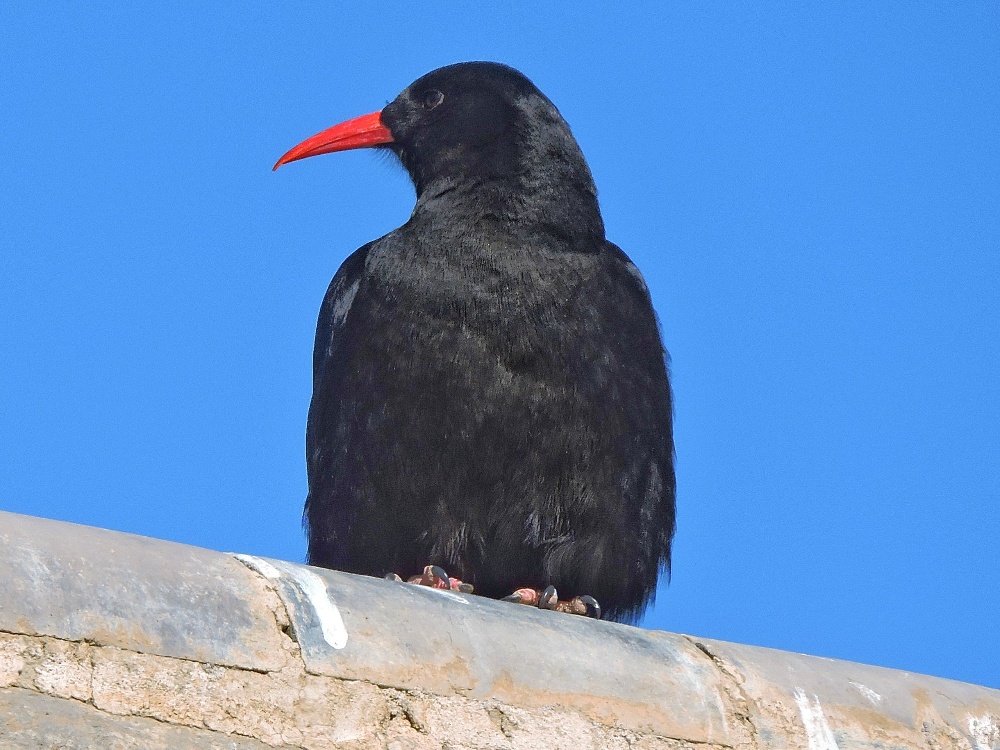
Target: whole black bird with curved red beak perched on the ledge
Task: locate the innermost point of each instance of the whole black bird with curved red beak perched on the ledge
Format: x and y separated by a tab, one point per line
490	390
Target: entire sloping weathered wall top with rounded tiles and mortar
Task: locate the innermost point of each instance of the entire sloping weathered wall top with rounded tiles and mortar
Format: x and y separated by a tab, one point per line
148	643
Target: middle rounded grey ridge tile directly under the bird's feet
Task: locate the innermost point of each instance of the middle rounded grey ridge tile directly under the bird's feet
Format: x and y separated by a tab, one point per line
414	637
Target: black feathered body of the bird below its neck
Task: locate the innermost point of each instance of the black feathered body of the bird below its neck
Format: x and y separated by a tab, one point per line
497	407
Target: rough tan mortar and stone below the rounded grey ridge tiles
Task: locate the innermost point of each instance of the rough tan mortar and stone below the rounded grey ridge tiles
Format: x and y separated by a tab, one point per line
289	708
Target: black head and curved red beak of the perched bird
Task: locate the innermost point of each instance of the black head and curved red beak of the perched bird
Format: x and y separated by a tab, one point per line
475	121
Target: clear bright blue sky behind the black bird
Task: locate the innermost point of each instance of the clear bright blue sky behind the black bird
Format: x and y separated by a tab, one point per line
810	189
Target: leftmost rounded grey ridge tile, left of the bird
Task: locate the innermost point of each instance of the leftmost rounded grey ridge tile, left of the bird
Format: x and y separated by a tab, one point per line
81	583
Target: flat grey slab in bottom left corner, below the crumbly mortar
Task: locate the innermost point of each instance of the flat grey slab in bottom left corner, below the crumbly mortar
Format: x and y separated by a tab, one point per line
32	721
